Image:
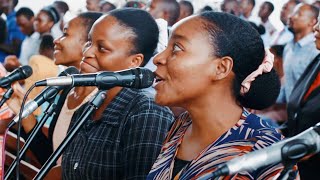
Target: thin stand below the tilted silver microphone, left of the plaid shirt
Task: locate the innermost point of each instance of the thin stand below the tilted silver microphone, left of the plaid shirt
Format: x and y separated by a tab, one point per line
49	111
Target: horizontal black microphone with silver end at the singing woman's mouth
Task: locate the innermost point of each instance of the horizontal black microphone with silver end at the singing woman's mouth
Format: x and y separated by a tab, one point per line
134	78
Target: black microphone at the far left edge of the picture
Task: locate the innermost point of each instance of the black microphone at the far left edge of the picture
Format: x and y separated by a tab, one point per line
20	73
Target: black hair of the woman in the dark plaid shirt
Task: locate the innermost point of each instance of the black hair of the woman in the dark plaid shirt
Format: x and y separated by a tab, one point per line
144	27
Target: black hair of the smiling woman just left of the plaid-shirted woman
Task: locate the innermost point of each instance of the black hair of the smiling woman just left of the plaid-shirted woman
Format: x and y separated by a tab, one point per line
88	18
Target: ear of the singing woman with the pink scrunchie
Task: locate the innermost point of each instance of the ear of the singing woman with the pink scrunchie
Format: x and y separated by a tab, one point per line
223	67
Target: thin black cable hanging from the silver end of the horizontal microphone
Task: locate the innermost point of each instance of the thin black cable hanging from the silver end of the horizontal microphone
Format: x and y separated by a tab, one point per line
19	130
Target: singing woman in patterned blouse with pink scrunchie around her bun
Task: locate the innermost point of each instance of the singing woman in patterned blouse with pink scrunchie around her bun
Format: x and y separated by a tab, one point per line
215	66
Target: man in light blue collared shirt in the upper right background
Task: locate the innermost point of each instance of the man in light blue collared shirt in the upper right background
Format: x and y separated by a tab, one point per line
300	51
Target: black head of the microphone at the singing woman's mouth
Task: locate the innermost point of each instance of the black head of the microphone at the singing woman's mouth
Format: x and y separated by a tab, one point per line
146	78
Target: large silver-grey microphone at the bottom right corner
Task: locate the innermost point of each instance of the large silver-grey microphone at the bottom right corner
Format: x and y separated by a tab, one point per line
294	148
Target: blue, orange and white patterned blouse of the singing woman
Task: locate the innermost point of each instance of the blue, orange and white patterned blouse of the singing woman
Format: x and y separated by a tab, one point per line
250	133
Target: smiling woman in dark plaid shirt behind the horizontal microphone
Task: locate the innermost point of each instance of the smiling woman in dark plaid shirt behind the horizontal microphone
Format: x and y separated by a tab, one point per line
123	137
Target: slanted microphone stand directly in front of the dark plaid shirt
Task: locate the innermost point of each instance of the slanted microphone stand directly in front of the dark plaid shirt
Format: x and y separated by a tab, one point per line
95	103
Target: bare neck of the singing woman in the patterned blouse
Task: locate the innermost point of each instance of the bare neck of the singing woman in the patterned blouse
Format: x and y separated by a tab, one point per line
213	115
